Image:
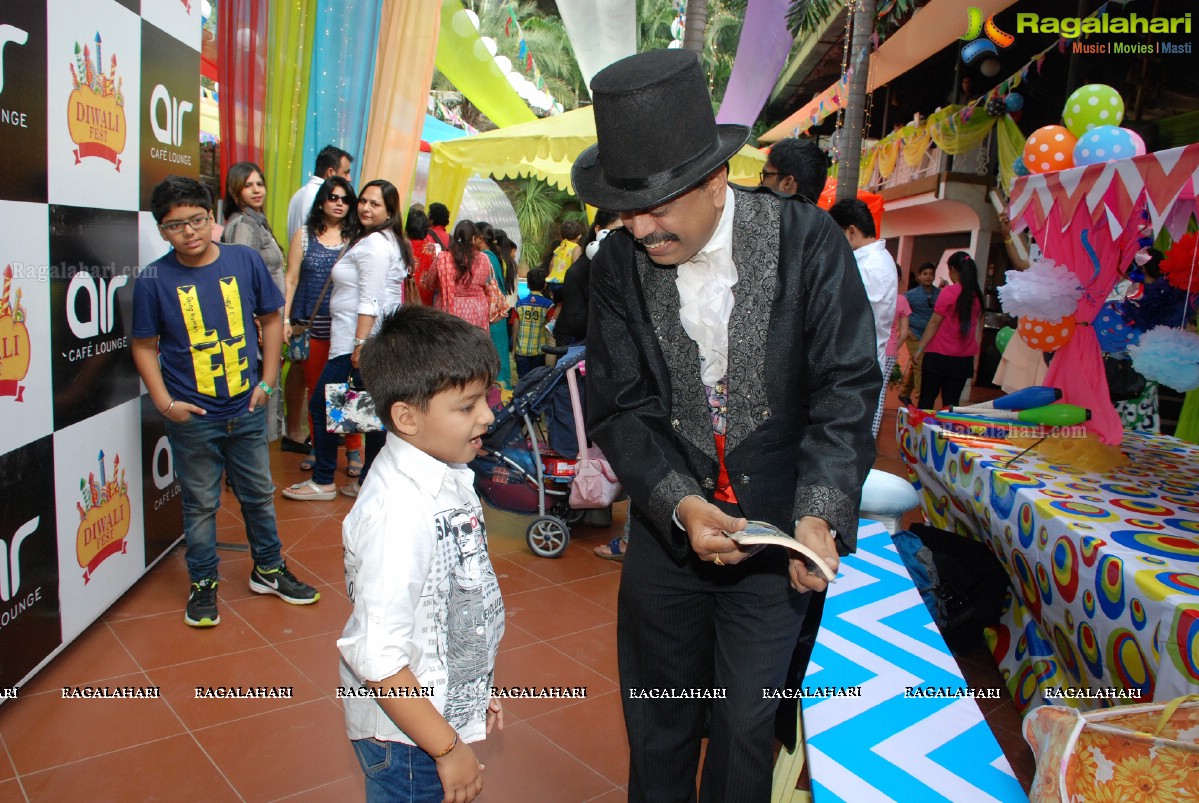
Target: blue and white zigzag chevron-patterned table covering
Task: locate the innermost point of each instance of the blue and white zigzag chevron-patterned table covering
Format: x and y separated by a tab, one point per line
867	736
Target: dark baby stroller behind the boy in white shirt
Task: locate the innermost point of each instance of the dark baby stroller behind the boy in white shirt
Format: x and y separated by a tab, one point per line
528	468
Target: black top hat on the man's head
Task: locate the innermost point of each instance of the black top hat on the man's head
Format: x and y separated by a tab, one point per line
658	136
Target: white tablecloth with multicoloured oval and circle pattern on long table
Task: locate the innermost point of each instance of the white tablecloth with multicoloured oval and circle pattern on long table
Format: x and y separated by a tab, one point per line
1105	567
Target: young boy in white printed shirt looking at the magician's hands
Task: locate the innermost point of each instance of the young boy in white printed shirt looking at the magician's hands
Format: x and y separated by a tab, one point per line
427	609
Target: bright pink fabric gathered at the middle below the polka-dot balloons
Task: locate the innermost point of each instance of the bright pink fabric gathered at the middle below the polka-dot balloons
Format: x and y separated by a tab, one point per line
1098	261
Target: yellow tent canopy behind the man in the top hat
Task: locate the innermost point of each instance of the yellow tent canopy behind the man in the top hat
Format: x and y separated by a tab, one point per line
545	149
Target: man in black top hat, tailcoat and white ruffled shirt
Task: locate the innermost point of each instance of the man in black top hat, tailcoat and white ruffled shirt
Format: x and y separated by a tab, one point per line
731	376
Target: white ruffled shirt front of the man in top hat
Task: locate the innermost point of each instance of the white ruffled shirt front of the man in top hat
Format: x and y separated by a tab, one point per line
706	294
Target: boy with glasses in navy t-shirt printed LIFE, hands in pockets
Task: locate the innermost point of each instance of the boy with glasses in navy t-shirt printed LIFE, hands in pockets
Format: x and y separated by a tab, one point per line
195	345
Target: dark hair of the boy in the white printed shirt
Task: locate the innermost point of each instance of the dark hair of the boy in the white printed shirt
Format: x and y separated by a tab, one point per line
420	352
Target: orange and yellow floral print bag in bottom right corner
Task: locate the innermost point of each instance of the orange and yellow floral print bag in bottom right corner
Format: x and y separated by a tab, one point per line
1143	753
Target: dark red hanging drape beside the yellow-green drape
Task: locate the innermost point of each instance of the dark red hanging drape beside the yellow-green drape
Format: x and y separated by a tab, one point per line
242	49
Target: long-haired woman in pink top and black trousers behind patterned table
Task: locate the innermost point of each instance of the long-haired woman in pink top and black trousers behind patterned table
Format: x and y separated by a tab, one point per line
951	339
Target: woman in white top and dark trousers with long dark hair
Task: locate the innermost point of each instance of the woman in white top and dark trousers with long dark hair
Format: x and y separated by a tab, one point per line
369	283
